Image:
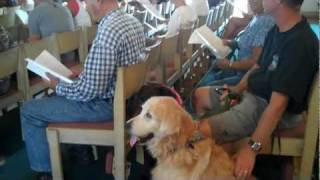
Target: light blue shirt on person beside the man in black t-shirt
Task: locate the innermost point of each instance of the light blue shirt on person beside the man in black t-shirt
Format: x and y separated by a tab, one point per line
254	34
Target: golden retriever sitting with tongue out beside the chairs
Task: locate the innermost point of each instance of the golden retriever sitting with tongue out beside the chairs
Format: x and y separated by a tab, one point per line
181	151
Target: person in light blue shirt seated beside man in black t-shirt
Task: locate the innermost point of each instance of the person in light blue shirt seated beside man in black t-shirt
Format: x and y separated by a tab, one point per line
249	44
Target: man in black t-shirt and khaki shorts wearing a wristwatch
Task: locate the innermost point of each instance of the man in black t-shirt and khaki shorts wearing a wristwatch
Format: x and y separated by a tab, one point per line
275	90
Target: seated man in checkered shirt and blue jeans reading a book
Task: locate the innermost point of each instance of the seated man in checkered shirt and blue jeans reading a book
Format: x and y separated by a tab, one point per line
119	42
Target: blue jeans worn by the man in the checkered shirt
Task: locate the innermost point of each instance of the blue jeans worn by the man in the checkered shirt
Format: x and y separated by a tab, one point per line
37	114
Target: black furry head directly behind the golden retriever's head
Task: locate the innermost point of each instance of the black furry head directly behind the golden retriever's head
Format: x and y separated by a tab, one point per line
133	106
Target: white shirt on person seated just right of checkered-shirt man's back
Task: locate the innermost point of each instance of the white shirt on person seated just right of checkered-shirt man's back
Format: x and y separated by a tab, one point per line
183	17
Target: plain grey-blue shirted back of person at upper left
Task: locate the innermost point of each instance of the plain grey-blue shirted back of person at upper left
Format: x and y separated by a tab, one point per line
48	18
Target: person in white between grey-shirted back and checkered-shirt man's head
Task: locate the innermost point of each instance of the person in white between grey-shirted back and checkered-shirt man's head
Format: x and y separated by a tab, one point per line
80	15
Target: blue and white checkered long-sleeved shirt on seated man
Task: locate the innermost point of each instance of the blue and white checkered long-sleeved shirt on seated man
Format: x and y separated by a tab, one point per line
119	42
